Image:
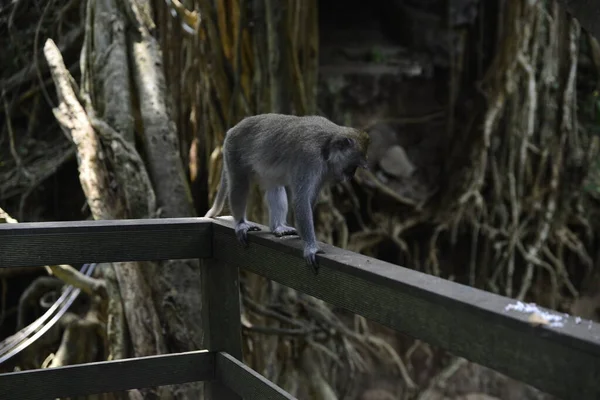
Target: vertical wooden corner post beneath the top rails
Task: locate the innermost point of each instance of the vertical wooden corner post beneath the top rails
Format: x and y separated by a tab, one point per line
222	326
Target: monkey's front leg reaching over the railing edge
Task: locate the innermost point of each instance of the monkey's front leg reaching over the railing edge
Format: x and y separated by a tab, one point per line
304	220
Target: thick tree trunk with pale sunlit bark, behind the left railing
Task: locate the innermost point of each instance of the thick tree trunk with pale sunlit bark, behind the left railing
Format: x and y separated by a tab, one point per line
160	300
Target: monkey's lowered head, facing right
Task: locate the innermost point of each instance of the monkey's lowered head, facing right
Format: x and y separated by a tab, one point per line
347	152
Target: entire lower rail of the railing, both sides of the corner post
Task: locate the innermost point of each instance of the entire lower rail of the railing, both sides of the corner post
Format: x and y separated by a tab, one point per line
137	373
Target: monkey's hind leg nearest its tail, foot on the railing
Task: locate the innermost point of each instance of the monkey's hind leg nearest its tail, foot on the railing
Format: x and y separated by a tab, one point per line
238	195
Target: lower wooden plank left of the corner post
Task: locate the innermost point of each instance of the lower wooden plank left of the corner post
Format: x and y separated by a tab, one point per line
108	376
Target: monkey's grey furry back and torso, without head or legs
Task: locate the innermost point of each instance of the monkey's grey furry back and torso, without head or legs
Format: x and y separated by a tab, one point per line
272	146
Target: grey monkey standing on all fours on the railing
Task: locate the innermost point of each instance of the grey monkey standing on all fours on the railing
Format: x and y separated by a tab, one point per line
301	153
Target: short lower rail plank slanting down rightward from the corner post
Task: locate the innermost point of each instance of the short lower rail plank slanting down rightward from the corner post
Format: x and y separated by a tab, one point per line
246	382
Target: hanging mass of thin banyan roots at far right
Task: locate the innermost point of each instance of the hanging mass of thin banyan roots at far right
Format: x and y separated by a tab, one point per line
530	204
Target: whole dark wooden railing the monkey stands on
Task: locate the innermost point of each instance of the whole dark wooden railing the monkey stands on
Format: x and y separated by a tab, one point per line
561	358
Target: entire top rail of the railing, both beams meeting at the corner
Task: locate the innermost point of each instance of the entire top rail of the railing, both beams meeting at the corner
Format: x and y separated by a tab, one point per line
563	360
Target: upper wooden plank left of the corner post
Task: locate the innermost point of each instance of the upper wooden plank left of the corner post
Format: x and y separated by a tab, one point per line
33	244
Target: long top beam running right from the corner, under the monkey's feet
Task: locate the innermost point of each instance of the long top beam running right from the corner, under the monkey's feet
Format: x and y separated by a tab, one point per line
564	361
